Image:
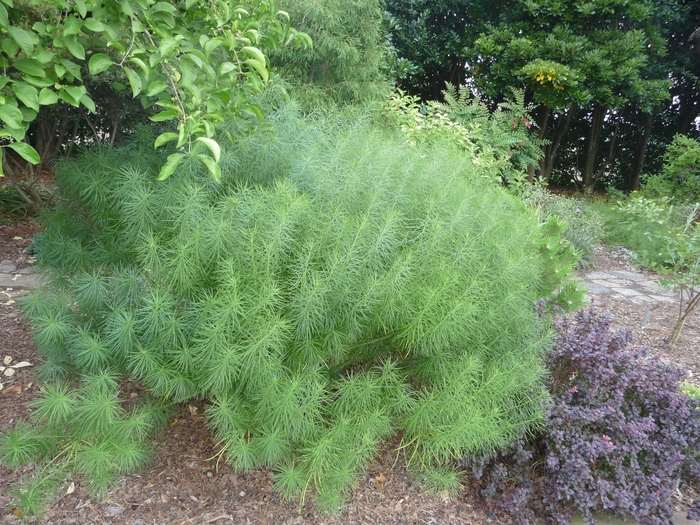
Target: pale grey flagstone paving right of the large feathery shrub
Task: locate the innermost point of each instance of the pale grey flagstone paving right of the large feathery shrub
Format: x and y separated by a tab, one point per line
631	287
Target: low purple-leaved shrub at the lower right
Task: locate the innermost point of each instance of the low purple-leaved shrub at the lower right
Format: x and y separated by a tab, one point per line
618	435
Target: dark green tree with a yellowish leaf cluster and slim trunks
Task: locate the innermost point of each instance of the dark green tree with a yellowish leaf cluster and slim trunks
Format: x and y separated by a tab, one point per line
587	59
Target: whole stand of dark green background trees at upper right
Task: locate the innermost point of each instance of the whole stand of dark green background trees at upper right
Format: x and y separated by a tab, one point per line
611	79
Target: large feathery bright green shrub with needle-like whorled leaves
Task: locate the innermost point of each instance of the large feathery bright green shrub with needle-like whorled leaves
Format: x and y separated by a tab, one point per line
338	286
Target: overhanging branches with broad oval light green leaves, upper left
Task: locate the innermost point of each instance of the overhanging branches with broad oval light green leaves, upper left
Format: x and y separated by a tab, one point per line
195	61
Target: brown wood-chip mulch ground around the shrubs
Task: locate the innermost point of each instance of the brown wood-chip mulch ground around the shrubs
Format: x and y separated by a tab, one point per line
184	484
